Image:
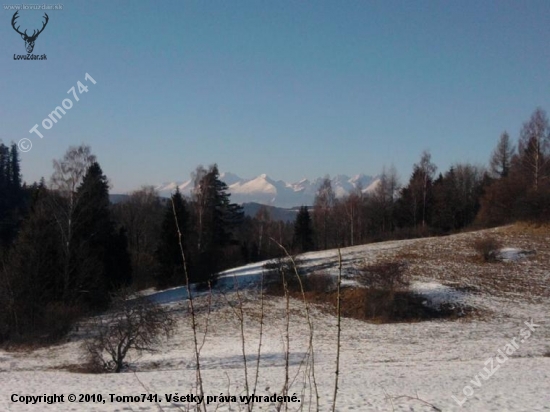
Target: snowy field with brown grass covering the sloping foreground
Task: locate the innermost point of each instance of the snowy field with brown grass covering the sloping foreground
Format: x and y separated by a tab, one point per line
383	367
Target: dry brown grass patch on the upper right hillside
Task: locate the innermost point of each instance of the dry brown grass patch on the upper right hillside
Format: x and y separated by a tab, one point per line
452	260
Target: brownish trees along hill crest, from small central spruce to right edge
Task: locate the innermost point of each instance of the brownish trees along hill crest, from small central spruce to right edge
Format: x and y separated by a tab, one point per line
516	185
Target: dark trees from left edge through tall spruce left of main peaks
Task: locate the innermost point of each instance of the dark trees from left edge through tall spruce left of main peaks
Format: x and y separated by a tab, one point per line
66	248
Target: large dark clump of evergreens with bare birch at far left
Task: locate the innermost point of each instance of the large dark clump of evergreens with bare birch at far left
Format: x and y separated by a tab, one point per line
68	254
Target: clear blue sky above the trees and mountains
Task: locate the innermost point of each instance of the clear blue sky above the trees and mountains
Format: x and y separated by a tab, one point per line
289	88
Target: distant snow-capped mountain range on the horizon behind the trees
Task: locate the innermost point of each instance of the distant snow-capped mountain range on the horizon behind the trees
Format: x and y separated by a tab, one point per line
268	191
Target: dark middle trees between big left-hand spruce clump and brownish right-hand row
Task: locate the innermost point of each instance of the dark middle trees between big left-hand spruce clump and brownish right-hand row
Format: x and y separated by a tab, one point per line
215	234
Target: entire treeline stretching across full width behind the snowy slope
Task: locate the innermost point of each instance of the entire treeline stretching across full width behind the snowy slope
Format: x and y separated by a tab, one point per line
64	249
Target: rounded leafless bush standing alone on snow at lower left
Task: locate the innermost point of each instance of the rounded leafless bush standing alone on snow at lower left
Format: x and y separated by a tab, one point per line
131	325
